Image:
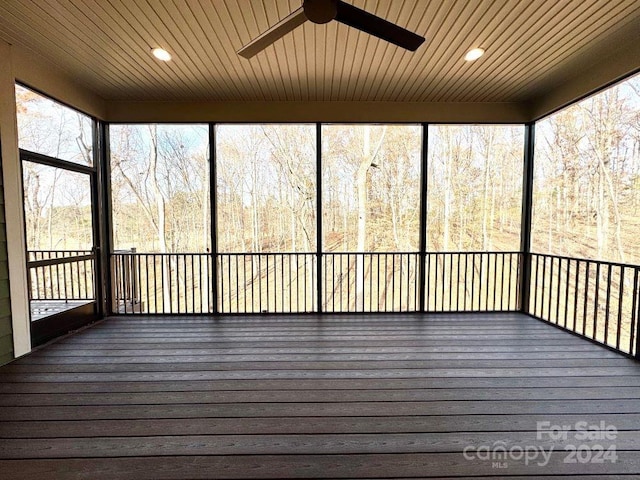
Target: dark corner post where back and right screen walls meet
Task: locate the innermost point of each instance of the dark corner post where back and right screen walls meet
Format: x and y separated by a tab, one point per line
524	282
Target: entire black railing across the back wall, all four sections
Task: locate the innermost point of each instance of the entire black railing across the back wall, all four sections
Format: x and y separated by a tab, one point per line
287	282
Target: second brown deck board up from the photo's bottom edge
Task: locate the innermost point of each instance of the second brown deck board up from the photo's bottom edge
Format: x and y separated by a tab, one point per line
314	444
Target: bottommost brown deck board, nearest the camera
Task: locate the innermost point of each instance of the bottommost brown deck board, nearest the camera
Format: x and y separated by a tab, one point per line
418	465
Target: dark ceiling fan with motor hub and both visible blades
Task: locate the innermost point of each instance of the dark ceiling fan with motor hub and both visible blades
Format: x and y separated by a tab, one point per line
323	11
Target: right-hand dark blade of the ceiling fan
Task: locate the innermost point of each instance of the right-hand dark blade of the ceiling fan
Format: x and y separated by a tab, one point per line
379	27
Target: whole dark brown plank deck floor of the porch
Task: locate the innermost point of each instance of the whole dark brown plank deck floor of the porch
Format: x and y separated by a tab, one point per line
318	397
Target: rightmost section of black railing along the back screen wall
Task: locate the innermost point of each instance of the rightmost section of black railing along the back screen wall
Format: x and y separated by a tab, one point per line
472	281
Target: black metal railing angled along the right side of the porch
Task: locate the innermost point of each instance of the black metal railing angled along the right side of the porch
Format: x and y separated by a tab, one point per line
595	299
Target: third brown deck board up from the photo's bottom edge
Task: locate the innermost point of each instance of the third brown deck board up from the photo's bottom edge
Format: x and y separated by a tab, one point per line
300	425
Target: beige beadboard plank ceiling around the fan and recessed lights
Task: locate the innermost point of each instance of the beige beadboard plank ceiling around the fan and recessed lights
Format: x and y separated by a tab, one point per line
105	45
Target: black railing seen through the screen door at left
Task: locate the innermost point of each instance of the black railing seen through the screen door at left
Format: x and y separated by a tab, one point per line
61	274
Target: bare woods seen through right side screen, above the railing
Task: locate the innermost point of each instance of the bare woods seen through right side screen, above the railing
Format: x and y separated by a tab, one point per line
587	178
